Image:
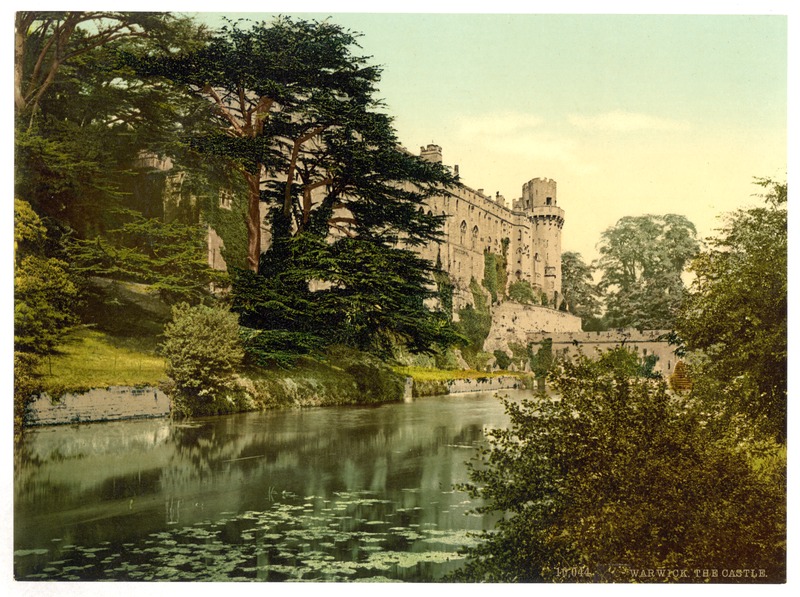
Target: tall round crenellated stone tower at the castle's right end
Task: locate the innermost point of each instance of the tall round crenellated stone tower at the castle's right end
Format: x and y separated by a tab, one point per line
540	201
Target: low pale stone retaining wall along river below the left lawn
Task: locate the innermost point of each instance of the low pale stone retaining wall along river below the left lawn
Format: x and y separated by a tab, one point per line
100	404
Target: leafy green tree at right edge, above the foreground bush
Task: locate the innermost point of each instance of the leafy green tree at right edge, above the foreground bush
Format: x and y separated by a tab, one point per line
736	312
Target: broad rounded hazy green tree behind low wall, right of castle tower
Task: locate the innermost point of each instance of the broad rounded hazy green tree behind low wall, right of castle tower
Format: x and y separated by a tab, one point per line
642	259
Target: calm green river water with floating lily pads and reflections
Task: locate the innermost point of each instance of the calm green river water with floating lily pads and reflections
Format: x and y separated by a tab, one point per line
326	494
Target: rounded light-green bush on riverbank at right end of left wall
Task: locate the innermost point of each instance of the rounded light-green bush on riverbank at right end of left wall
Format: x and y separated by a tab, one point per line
203	351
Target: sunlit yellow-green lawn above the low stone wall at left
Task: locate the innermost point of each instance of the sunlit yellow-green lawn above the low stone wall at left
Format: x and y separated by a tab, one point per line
92	359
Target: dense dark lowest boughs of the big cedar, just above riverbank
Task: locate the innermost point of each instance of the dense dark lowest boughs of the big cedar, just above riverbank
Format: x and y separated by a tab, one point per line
349	291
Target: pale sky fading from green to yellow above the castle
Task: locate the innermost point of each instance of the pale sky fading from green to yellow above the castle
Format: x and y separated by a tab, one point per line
630	114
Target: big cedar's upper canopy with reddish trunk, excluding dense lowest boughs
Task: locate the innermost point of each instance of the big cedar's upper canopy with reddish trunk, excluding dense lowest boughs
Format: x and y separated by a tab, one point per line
297	116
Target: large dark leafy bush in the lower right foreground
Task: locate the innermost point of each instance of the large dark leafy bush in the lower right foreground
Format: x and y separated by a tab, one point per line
614	475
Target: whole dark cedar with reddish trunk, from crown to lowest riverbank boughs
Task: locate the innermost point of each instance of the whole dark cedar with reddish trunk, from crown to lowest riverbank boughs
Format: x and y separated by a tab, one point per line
298	116
